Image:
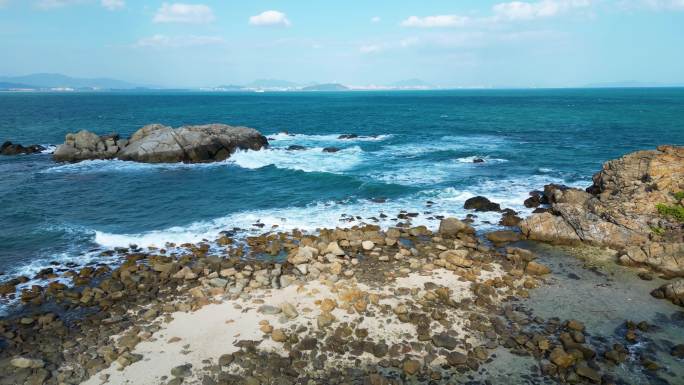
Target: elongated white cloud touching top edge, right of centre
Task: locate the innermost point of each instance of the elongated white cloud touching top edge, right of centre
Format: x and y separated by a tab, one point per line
520	10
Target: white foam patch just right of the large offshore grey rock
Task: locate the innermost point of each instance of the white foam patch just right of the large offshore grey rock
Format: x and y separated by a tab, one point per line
308	160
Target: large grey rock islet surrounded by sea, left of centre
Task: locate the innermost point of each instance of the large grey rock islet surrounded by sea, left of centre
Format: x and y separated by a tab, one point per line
157	143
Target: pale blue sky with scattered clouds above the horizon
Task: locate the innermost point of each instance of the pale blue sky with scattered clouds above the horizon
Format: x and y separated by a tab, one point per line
545	43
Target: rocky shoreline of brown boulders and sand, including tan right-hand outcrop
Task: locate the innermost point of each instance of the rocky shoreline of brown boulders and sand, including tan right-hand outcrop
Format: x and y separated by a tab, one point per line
407	304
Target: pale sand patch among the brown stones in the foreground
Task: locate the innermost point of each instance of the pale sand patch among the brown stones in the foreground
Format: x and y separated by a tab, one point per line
213	330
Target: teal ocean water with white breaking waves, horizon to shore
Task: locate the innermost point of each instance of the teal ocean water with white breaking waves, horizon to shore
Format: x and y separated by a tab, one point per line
414	147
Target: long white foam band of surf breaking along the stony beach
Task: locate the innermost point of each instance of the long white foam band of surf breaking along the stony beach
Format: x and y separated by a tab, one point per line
447	202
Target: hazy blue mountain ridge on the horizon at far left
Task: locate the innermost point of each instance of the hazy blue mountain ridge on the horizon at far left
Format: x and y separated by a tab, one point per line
62	81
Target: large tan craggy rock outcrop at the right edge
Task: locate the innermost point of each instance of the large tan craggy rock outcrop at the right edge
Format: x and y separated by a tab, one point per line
619	210
